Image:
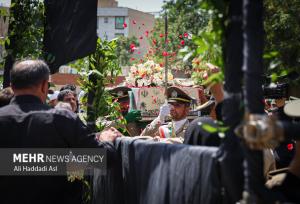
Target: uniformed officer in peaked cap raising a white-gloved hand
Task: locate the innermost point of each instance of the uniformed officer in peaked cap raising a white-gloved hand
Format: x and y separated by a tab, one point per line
178	107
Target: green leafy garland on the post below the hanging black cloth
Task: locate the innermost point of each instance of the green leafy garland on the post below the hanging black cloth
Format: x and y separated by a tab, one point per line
96	72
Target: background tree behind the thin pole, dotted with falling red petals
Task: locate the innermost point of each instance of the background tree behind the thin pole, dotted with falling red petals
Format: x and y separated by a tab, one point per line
184	21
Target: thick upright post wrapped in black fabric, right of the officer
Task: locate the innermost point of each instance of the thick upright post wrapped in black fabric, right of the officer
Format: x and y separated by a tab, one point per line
230	152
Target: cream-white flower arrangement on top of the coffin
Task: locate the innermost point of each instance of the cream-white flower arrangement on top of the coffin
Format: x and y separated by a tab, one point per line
147	74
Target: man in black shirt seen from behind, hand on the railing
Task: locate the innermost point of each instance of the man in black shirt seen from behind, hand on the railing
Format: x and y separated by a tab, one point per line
28	123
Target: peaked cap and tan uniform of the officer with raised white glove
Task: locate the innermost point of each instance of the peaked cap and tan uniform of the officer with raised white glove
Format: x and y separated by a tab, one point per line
173	129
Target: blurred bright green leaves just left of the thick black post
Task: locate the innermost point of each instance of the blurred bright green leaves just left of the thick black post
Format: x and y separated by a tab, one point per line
207	44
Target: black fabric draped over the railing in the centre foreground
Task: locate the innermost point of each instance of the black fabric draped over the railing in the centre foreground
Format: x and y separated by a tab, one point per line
161	173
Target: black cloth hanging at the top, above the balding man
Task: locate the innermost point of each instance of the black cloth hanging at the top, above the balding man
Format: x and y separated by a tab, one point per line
70	30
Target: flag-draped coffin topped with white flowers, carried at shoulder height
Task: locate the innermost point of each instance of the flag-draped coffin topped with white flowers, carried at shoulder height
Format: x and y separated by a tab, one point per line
148	92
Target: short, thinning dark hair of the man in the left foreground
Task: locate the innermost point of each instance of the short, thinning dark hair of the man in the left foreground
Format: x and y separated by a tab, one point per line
29	73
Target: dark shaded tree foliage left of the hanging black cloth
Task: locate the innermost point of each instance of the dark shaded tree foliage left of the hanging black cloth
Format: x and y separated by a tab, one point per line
26	28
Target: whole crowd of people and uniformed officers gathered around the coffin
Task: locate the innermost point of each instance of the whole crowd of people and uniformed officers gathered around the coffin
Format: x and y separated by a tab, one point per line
27	121
